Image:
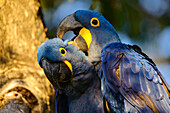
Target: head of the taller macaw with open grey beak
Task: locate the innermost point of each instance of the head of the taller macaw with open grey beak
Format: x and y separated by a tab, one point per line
92	31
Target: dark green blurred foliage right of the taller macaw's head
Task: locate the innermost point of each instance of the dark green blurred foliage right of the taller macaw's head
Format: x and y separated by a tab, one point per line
128	15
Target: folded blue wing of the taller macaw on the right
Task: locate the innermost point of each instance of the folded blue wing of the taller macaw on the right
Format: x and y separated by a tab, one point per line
129	71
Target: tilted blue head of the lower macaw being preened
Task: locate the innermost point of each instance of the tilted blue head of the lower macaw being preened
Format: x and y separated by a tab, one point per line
65	66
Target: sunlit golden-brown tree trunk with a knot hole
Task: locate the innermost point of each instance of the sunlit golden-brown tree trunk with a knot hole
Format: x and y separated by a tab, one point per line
23	85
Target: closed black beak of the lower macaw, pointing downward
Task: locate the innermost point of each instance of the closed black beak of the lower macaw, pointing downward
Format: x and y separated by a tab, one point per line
57	73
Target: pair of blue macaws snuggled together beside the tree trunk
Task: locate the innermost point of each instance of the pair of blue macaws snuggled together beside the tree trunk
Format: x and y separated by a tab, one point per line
95	73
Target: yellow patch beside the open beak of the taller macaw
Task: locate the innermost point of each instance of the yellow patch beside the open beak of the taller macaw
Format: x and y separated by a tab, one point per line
85	33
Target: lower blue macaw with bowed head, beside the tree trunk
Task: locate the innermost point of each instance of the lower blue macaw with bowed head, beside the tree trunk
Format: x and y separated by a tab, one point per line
73	77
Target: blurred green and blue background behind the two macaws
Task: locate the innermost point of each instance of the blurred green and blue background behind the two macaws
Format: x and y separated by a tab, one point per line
145	23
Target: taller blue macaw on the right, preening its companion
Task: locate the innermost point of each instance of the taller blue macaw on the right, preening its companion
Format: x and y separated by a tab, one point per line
129	78
